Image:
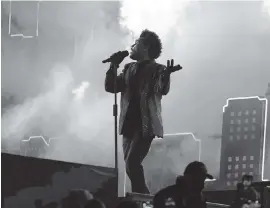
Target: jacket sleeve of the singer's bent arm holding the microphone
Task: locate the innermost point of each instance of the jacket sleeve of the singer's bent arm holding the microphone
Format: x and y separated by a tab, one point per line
120	81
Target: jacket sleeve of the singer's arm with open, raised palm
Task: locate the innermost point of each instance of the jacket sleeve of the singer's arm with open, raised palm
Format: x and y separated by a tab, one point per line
163	81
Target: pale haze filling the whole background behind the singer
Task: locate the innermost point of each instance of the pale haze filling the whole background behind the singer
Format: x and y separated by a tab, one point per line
222	46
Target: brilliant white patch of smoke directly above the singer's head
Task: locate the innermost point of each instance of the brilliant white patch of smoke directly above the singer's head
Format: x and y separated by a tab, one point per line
158	16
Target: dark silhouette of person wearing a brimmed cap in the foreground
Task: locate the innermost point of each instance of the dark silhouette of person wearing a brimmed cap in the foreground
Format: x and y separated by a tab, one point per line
187	191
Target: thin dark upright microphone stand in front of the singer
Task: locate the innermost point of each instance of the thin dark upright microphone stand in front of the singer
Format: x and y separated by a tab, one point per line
114	67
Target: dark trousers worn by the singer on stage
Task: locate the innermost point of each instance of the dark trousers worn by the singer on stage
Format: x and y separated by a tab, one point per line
135	150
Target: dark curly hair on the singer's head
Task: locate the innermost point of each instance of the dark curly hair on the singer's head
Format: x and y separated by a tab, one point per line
152	40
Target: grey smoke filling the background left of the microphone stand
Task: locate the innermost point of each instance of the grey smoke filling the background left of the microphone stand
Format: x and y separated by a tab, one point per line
57	77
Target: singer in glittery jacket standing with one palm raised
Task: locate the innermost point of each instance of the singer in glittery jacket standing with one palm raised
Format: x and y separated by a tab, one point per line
142	84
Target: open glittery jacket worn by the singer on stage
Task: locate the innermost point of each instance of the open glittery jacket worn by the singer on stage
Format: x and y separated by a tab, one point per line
154	83
